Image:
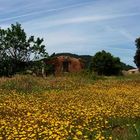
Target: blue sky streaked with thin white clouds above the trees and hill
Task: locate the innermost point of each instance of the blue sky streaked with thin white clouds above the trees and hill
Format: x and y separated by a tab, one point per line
81	27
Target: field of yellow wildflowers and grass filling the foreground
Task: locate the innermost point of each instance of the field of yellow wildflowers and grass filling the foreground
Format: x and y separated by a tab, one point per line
69	108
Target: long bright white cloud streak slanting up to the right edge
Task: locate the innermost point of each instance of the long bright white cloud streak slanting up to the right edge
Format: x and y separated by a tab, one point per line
49	23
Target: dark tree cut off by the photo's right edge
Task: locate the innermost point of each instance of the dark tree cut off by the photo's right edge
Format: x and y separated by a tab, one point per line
137	55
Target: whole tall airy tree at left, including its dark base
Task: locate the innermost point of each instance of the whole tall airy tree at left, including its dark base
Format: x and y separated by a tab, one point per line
16	49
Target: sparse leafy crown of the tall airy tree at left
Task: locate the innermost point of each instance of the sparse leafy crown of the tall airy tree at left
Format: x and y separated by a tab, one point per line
15	44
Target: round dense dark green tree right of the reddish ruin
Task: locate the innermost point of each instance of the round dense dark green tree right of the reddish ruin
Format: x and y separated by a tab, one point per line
105	64
